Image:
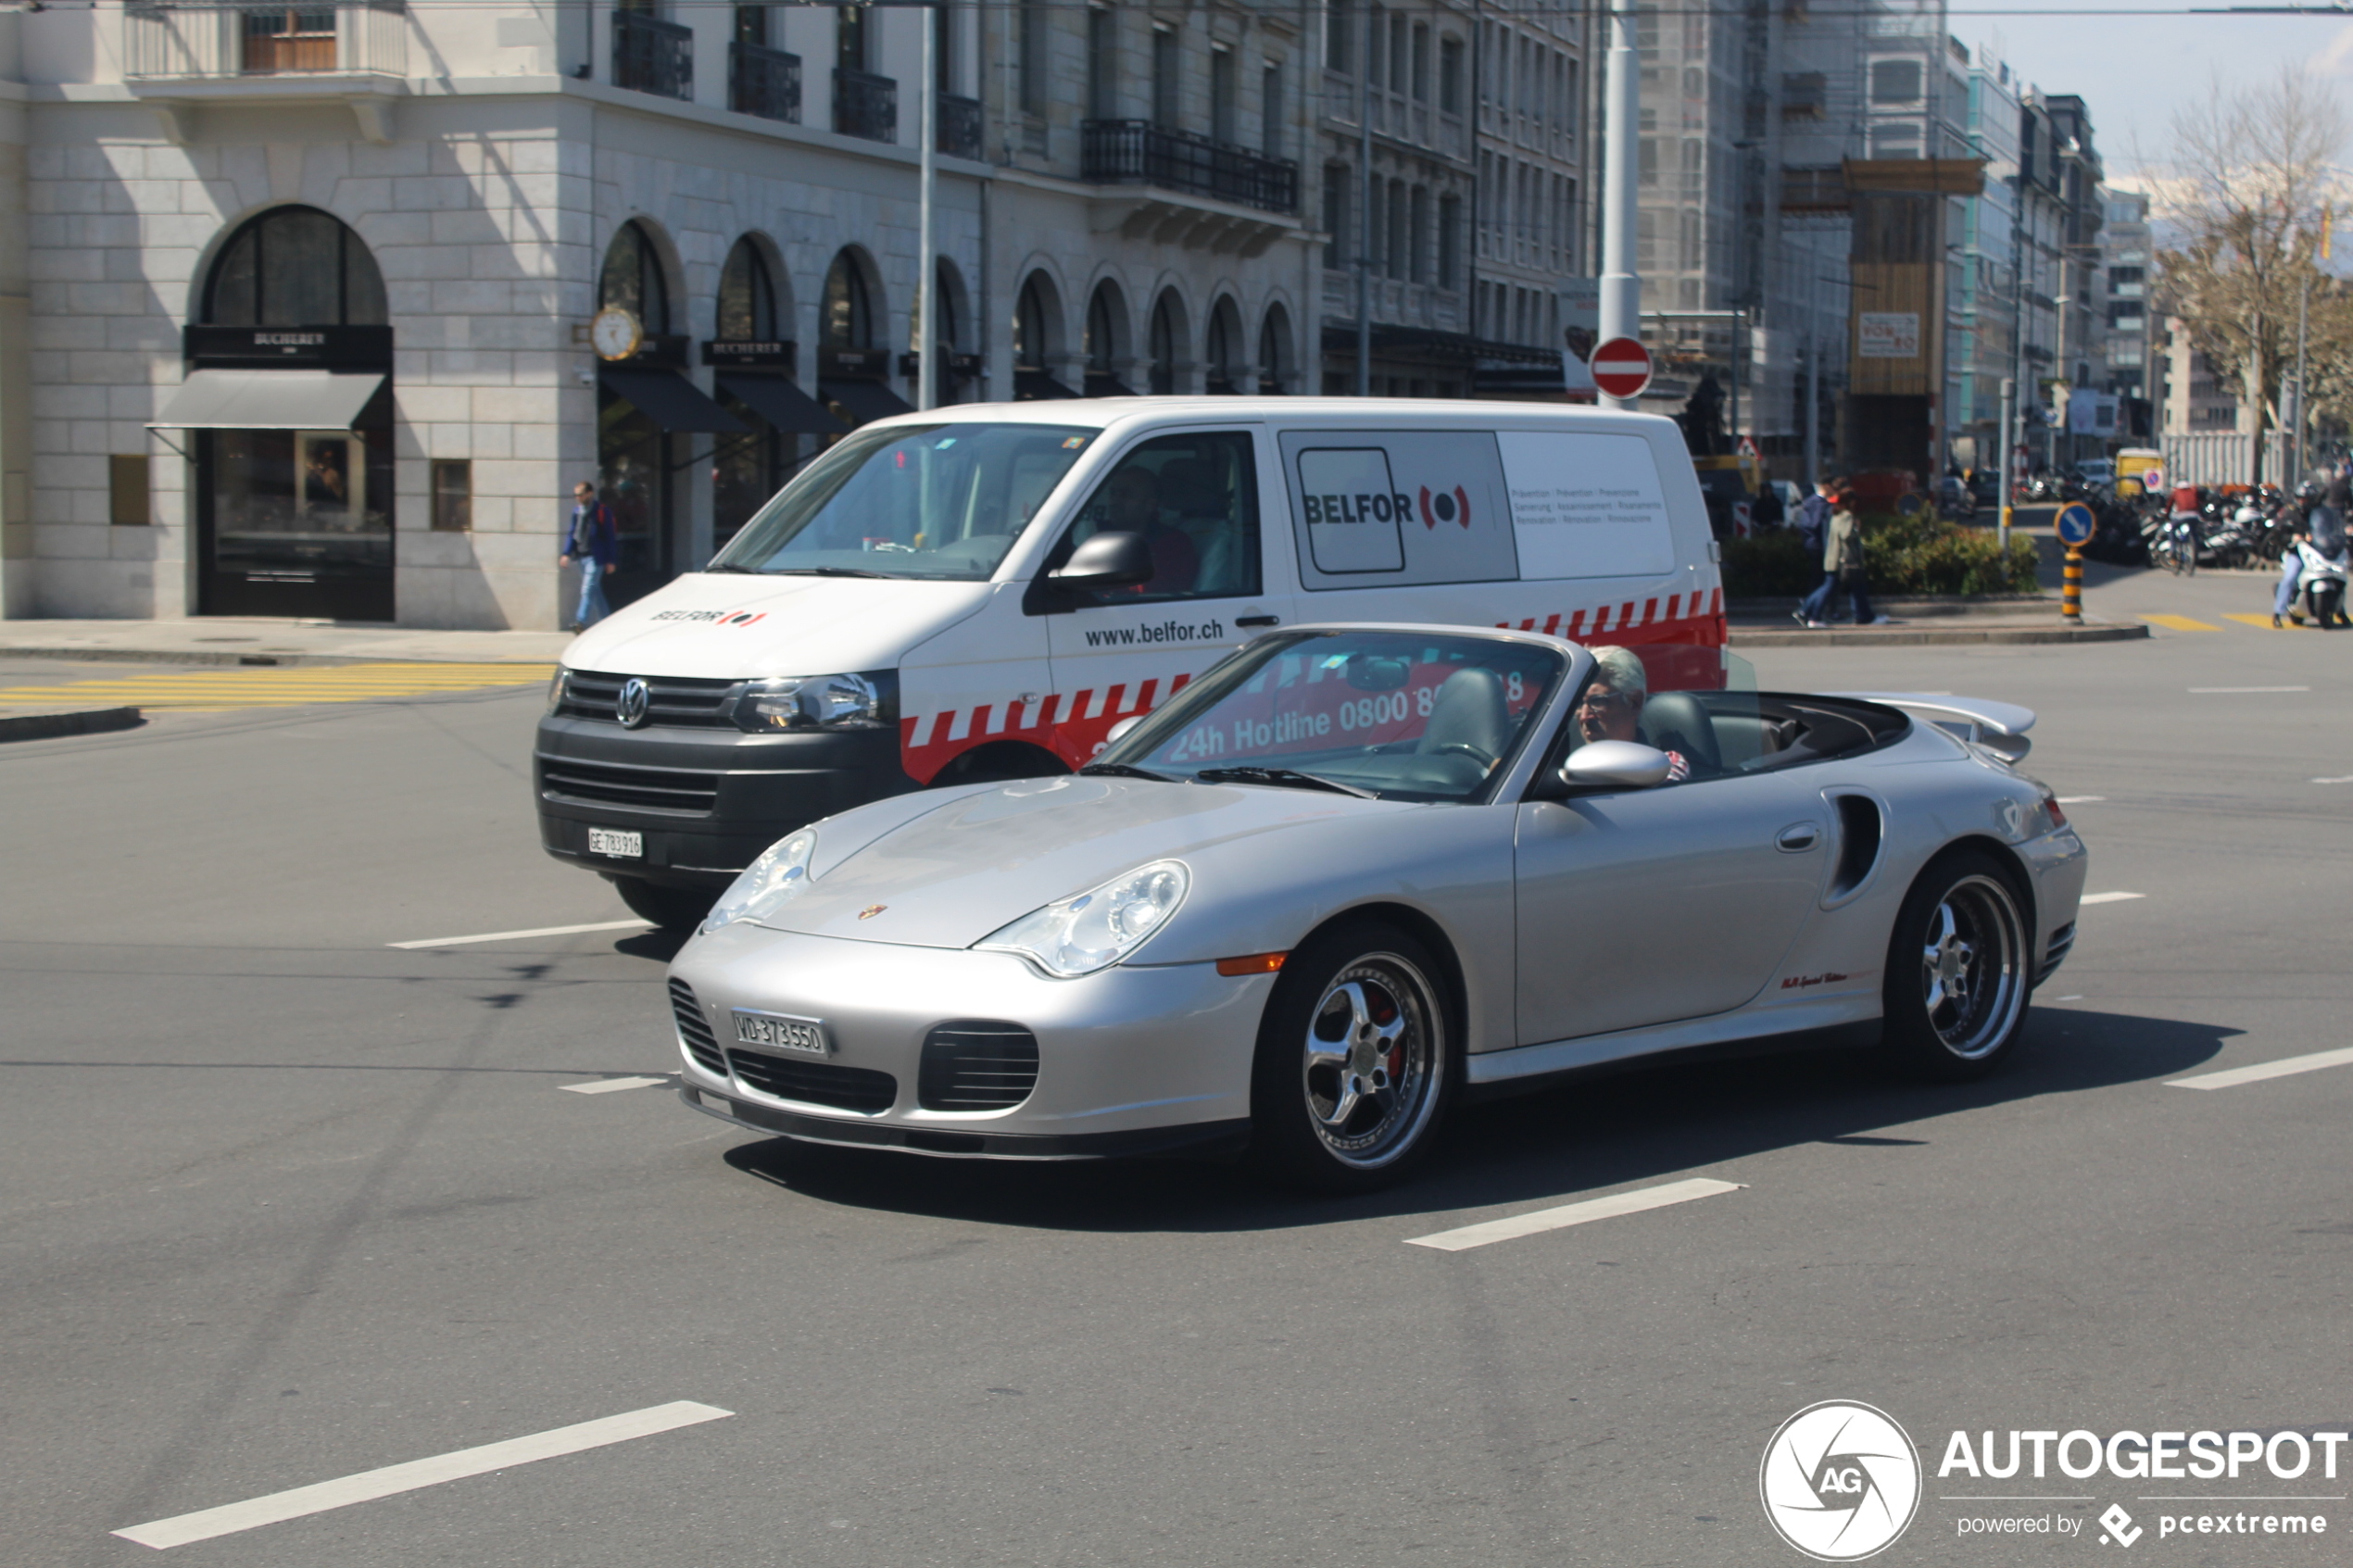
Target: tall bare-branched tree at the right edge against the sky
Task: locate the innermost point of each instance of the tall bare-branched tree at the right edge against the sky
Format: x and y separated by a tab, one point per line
2253	175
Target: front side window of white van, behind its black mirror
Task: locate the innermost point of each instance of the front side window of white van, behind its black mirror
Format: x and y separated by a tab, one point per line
1197	504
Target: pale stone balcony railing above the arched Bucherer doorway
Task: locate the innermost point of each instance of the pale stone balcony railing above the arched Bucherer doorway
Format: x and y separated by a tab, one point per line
225	41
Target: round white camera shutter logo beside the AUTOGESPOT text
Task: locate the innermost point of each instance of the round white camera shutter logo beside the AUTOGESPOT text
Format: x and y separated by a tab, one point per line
1841	1482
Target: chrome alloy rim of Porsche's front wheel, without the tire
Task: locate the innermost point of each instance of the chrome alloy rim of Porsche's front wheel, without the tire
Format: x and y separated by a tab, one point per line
1375	1057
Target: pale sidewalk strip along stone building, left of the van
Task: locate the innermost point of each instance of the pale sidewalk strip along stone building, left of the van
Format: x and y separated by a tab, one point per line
218	641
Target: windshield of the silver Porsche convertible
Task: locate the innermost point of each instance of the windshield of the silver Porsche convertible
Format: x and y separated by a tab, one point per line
1401	716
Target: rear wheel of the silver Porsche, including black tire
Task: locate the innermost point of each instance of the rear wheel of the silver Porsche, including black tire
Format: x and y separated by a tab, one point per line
1959	970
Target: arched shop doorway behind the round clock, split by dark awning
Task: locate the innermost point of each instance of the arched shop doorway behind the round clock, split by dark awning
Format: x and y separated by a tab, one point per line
634	453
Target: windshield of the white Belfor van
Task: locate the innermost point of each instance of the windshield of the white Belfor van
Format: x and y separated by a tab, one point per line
909	502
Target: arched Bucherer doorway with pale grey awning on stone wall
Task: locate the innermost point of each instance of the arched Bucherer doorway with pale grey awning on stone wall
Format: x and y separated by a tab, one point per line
293	521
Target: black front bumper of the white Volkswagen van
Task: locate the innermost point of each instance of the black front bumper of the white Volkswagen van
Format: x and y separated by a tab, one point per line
705	800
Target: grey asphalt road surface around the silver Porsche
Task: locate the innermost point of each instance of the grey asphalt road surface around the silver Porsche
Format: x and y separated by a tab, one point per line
284	1205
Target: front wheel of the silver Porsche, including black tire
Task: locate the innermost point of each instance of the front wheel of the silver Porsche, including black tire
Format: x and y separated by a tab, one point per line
1357	1061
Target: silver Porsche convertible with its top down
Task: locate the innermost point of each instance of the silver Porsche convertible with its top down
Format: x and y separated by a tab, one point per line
1359	871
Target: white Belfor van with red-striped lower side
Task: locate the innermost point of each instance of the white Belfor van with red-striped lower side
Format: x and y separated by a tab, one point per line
985	591
